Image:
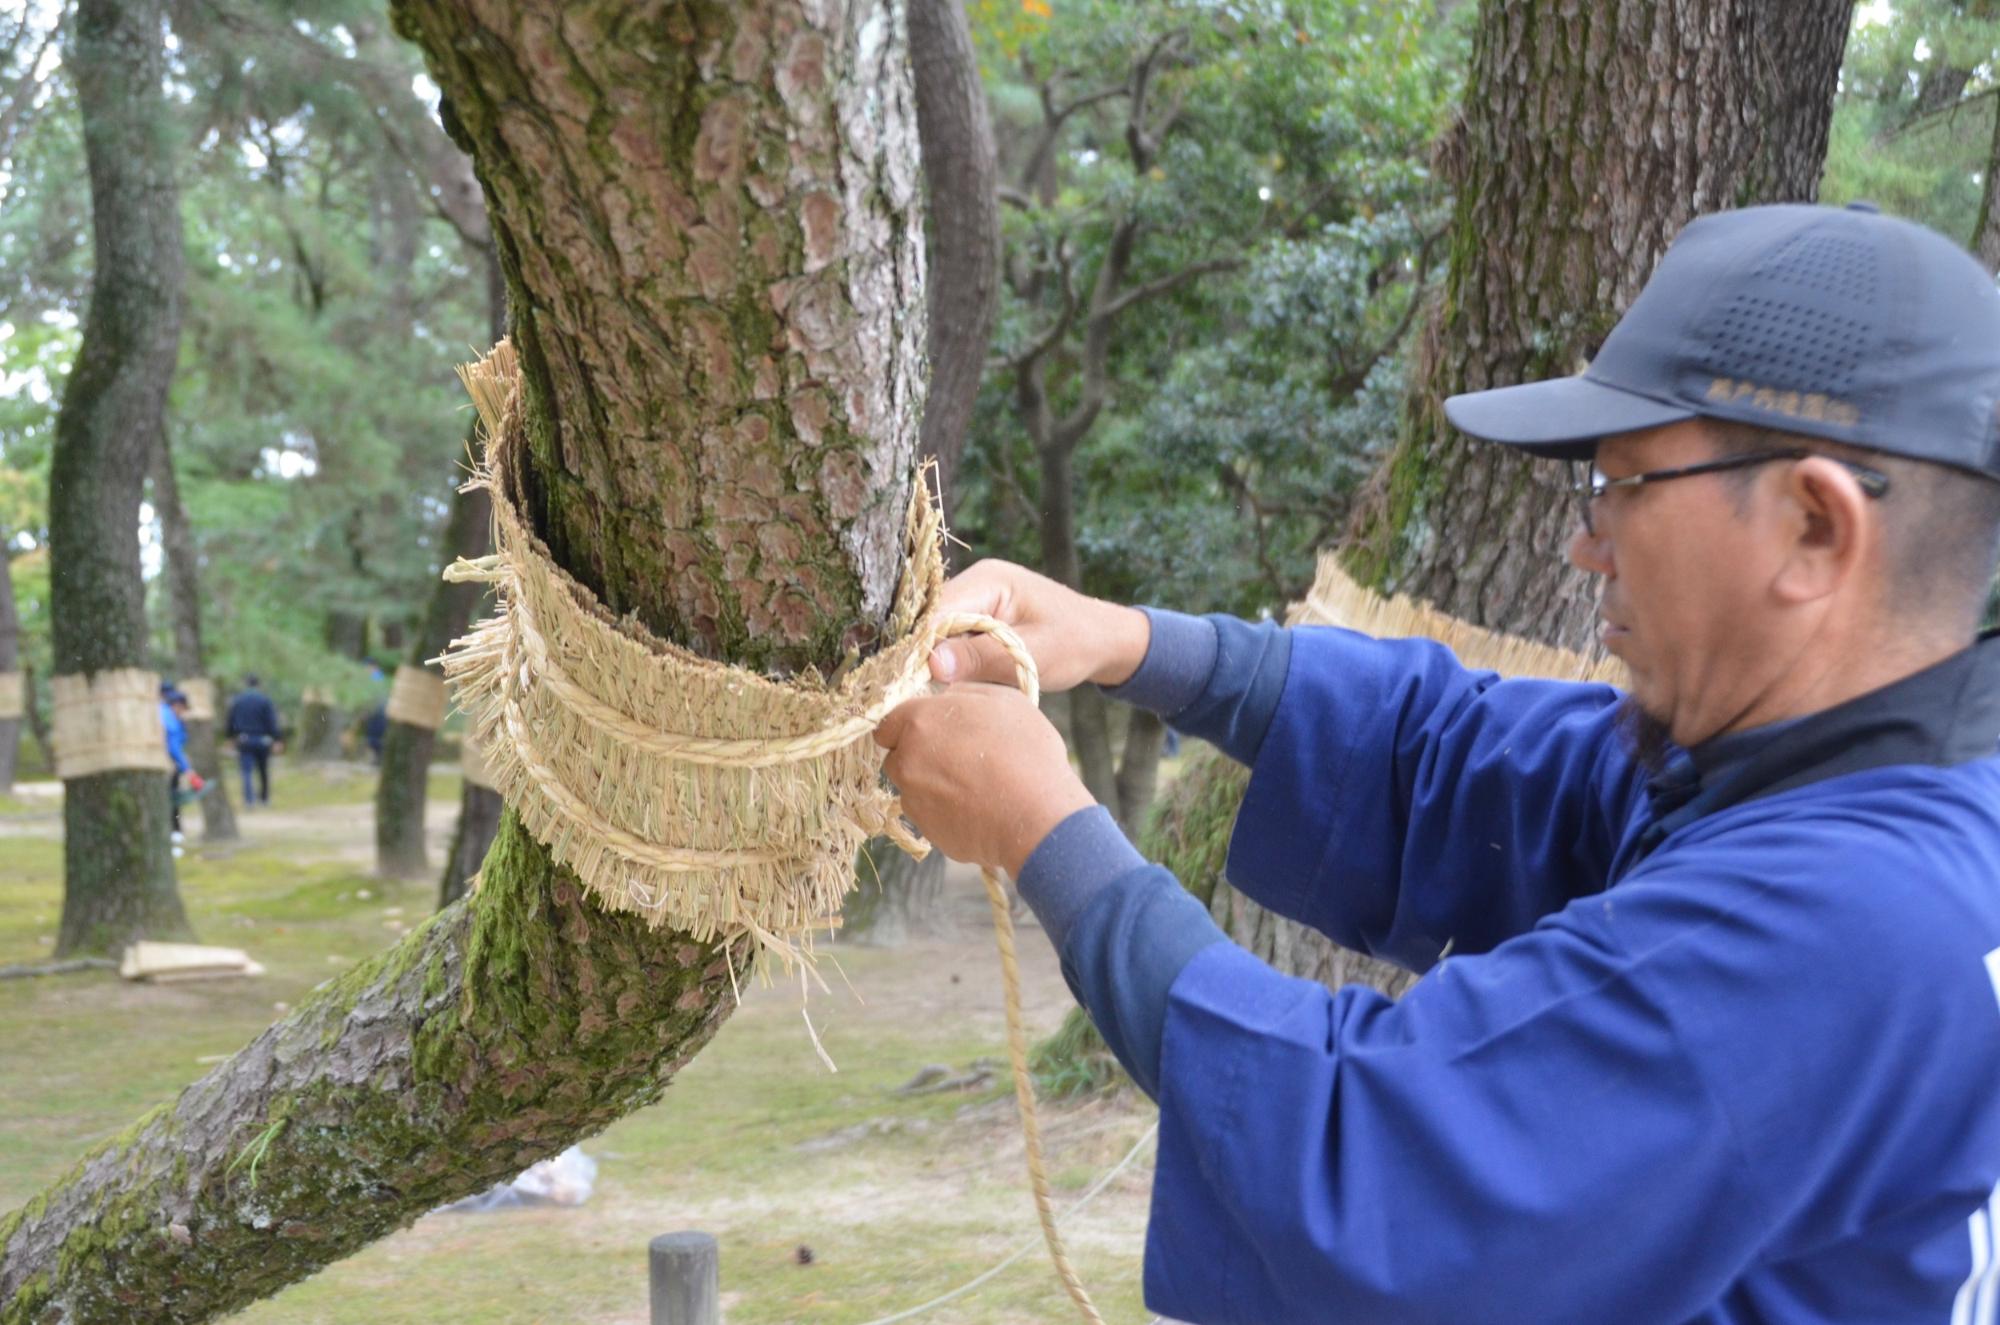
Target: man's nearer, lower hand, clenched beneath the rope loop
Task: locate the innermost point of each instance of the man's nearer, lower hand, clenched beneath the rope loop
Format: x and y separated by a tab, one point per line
981	772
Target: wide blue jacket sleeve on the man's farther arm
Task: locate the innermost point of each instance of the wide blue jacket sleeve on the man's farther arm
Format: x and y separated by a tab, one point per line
1407	806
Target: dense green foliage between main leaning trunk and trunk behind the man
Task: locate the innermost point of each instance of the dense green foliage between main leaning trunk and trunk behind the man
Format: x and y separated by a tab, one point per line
1243	405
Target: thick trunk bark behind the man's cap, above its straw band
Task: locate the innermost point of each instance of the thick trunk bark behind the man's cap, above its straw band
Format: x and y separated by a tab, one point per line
1591	137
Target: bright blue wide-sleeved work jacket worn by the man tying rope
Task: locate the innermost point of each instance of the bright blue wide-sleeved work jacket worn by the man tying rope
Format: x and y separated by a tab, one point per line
1743	1074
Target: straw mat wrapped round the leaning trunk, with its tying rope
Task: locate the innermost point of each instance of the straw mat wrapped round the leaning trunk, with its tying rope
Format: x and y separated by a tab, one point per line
647	770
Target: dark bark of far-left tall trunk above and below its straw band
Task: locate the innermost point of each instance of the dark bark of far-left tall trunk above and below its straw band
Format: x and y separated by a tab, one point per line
117	870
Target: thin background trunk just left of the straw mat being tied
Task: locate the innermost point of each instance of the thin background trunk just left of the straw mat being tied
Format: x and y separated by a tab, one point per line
407	748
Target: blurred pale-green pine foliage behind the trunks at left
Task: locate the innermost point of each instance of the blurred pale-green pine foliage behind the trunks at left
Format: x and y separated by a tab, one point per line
317	423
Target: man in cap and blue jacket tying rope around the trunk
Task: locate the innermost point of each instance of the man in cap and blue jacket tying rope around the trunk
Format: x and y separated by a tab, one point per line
1719	1032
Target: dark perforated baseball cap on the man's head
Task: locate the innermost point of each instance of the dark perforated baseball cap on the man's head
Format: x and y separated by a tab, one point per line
1823	321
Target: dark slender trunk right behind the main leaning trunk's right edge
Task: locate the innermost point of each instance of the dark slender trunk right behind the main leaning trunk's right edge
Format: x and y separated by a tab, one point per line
963	203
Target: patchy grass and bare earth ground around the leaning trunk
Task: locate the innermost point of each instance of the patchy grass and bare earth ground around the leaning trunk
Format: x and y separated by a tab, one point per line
899	1198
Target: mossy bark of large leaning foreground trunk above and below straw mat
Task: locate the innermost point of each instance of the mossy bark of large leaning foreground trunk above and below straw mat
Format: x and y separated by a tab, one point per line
709	225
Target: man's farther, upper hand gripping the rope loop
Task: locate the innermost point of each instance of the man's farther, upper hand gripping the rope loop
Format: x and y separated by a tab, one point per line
1071	637
